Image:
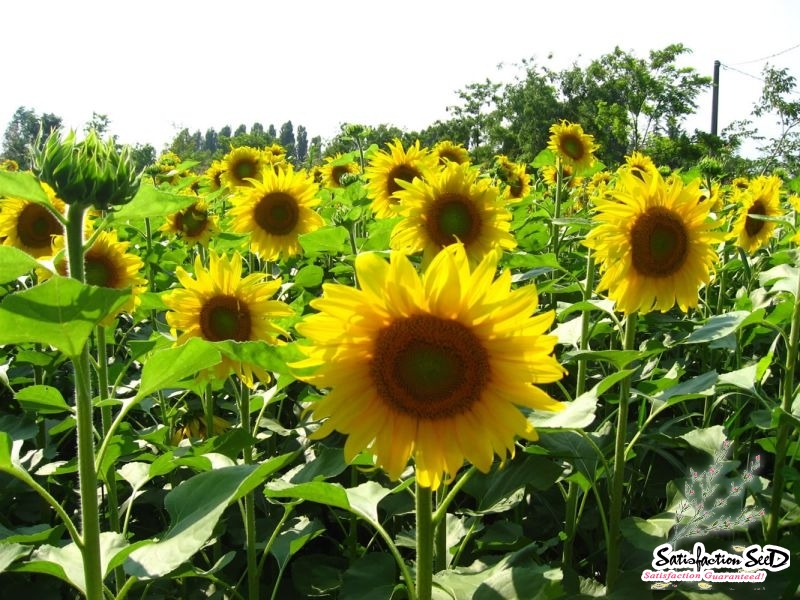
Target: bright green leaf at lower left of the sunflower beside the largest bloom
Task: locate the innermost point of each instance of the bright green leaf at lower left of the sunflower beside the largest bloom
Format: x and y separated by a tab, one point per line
165	368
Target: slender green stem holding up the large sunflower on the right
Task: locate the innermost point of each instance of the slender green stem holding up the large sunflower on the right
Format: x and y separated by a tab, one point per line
618	480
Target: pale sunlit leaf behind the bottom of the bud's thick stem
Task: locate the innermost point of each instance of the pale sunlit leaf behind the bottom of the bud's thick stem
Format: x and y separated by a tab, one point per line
66	562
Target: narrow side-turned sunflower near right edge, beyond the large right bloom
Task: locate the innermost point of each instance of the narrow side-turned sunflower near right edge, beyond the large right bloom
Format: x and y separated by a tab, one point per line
761	198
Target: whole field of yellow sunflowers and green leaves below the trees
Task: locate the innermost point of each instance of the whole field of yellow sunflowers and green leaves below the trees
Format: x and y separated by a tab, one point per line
397	374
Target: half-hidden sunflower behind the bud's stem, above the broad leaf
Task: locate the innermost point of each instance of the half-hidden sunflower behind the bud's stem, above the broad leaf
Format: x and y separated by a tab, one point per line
107	263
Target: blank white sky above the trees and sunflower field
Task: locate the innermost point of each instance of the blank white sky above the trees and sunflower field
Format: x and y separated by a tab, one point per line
156	67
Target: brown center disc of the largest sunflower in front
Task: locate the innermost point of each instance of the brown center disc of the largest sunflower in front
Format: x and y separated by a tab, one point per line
428	367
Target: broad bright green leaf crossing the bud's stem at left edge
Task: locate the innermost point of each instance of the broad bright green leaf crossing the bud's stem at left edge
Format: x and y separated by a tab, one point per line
60	312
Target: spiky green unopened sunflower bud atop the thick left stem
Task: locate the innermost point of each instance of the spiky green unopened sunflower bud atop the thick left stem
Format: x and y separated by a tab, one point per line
90	172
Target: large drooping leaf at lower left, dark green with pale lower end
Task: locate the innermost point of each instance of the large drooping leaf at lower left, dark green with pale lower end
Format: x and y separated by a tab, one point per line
195	507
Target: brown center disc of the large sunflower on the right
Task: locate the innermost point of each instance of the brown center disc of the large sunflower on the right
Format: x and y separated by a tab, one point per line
659	243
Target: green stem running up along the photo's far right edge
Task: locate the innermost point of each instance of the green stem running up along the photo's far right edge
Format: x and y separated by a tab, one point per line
784	426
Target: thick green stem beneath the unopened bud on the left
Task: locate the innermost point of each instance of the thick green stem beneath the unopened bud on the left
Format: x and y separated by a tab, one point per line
87	473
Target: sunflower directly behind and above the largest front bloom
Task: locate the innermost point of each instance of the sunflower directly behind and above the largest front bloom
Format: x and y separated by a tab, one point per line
452	206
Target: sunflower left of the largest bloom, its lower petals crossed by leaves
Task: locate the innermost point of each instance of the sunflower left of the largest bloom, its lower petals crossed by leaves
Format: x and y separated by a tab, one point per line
219	304
